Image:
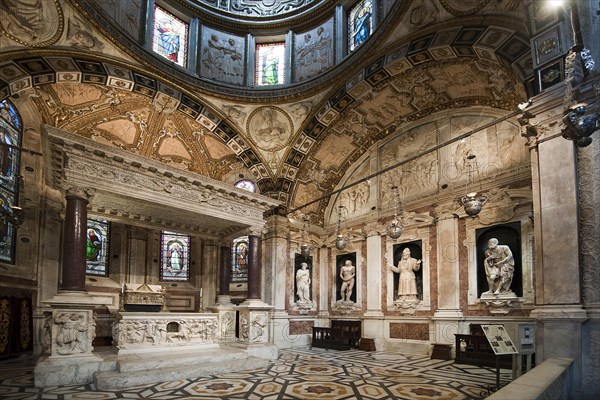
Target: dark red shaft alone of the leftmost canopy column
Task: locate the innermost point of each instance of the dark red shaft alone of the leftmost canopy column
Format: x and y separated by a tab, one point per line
74	243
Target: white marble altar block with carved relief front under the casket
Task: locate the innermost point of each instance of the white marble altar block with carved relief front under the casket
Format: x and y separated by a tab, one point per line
143	332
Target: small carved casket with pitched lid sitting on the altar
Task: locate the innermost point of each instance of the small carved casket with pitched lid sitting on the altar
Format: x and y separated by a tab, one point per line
143	298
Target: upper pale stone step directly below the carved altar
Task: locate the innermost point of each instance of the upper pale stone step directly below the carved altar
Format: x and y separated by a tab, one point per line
154	361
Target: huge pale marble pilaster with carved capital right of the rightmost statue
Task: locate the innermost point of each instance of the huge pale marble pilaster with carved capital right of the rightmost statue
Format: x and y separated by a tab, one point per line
558	281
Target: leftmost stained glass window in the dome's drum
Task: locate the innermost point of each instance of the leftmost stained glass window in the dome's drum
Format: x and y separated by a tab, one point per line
170	36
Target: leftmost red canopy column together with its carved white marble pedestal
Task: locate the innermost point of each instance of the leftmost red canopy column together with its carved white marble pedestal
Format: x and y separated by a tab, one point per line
70	324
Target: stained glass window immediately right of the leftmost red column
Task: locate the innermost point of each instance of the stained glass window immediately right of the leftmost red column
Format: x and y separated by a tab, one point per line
96	250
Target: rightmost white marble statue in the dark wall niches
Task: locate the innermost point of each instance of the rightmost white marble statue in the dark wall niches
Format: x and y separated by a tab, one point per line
499	267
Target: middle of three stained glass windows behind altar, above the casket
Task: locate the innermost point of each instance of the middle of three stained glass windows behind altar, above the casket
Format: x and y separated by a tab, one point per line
174	257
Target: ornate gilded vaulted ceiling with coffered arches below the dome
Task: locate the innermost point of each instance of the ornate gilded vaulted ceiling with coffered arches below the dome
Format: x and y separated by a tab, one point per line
296	143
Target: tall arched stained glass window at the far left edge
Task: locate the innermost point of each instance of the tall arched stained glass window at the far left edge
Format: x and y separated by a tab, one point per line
10	180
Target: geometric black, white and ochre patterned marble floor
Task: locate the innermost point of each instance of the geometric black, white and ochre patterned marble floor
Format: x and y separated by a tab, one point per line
297	374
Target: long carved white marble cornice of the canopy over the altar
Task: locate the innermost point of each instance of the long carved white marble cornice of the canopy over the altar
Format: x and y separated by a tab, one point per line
121	178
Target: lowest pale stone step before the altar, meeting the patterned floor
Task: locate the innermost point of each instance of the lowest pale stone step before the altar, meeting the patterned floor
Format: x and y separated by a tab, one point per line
109	380
